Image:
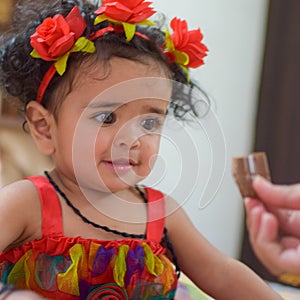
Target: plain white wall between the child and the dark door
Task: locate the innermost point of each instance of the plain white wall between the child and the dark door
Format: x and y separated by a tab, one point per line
234	32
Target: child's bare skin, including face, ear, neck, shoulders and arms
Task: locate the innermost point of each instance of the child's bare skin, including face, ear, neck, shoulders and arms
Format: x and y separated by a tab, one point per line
130	144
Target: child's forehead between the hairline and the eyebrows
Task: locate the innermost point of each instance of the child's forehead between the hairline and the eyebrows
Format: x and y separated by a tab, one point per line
126	78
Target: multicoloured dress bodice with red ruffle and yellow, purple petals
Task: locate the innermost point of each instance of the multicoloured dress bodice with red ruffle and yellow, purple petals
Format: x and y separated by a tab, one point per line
128	269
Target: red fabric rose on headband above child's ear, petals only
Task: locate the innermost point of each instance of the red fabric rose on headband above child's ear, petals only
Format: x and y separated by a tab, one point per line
57	35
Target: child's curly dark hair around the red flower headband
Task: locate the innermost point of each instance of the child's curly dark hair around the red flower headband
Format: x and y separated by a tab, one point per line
21	75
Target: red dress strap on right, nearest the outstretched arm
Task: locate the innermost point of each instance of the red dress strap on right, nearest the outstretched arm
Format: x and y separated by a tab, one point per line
156	215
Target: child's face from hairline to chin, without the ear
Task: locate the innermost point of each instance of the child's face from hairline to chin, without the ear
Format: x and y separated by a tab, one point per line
108	130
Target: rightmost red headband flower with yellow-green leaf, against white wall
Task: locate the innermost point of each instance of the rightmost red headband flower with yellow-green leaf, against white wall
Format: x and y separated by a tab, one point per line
184	46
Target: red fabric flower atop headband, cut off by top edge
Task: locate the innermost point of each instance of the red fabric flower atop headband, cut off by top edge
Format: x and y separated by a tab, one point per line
129	11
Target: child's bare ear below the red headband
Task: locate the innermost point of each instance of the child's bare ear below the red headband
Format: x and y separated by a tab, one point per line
40	123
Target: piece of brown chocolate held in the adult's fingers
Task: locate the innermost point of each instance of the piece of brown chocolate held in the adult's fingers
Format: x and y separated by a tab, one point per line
245	168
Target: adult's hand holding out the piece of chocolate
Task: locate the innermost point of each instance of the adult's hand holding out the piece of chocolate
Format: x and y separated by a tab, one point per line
273	223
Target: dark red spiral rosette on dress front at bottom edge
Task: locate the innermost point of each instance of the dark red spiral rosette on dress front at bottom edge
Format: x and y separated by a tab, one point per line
109	292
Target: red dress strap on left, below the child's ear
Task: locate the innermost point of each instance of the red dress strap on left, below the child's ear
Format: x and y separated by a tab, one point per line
50	204
